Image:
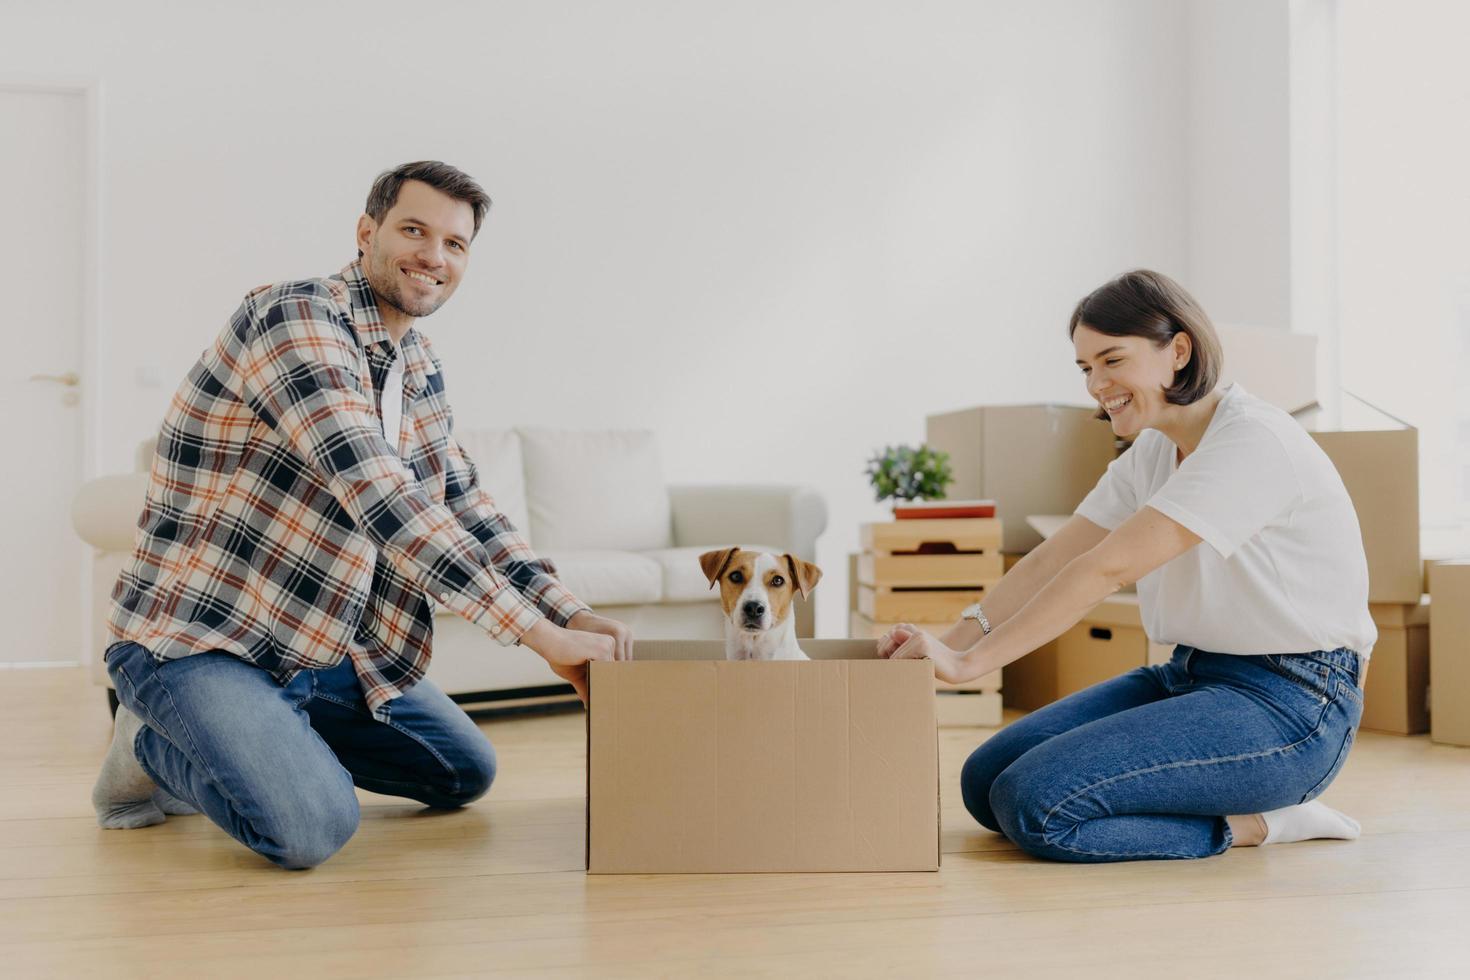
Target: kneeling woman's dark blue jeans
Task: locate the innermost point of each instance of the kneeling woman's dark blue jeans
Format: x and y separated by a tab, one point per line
1149	765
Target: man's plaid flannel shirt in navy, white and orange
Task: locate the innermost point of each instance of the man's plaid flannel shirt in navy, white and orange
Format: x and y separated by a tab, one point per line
283	528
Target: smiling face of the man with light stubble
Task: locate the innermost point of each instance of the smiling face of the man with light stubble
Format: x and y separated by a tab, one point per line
414	261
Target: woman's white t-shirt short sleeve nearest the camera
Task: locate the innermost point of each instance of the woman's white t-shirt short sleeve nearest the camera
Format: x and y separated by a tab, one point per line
1238	483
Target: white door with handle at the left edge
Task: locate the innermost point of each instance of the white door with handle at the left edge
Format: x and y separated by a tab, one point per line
42	174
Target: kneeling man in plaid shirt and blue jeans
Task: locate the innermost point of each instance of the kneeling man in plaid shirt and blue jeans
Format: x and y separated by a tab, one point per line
308	502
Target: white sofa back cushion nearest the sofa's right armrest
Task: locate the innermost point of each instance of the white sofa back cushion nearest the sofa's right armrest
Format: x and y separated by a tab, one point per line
596	490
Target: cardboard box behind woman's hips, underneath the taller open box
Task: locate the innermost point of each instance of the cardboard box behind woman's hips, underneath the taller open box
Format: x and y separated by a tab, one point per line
1396	693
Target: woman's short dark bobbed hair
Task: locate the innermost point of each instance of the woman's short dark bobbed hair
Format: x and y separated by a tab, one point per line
1150	305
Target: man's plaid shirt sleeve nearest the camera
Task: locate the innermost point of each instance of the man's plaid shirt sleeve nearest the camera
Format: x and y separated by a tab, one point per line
299	375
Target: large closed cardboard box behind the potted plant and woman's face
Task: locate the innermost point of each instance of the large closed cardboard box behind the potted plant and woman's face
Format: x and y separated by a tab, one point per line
1028	459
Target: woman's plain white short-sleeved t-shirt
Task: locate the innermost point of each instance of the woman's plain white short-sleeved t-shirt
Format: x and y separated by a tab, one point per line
1281	568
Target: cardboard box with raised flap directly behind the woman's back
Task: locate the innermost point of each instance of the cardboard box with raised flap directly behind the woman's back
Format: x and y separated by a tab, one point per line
1381	471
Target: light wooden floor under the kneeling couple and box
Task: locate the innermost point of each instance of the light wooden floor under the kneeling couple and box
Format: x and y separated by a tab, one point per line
499	888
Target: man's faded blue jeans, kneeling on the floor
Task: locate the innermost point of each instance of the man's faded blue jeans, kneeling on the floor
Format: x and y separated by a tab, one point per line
276	766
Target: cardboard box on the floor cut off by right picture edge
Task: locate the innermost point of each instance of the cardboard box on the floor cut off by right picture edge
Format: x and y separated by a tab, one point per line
1449	653
